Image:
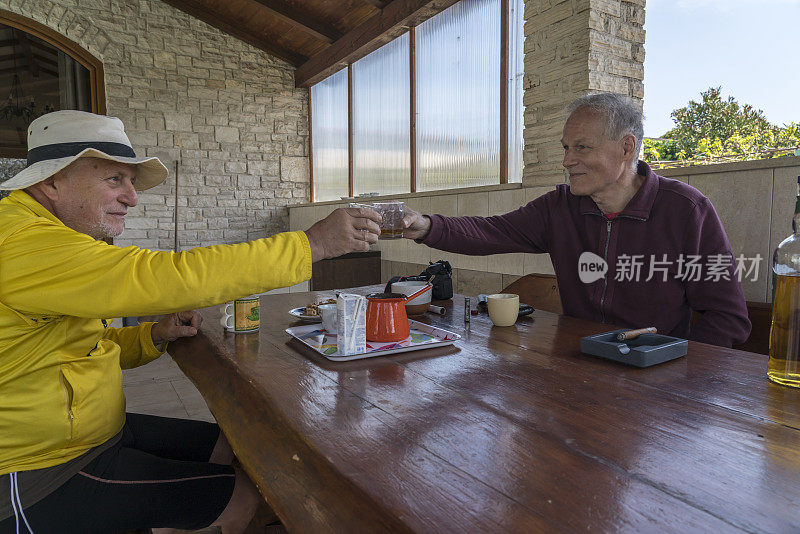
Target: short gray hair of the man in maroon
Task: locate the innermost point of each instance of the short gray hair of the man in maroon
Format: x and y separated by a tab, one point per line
621	114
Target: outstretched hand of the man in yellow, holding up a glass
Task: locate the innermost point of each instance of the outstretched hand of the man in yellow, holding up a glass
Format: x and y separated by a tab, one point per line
345	230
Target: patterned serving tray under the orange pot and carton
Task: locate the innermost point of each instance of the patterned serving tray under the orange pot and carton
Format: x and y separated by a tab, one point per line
423	336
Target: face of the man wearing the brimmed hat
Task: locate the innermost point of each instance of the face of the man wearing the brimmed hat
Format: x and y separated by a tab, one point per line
94	195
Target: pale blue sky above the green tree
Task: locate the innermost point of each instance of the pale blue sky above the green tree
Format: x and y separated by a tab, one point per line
749	47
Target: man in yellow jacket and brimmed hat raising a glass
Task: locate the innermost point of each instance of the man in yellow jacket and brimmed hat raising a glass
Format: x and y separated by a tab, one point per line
70	459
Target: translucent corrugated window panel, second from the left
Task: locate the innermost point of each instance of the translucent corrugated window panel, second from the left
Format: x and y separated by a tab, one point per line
381	123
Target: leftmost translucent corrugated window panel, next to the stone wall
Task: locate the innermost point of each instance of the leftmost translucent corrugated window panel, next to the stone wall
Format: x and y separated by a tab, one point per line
329	131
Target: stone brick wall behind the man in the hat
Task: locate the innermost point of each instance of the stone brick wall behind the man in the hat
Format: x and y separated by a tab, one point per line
226	112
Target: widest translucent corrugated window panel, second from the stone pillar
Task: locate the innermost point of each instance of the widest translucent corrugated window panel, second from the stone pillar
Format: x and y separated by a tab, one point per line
458	96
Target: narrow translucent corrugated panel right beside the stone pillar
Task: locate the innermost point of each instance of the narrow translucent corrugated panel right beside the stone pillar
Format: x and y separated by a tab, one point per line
516	72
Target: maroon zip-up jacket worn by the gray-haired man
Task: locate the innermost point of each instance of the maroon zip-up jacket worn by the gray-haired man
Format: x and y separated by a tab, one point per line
665	217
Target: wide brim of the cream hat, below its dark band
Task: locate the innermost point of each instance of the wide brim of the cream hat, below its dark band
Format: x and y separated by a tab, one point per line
150	172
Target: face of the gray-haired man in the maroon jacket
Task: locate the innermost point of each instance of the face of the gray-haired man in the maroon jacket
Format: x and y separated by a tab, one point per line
594	162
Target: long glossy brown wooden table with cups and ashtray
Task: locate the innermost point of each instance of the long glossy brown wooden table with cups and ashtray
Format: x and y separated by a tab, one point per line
510	430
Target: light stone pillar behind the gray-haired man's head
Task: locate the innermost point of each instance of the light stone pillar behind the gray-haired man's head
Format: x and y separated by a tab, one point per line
571	47
